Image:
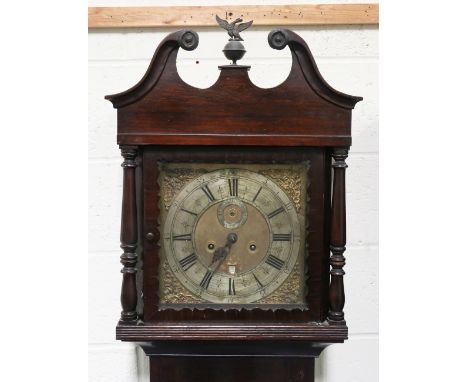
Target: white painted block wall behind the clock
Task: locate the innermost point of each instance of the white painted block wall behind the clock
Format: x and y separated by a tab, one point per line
347	57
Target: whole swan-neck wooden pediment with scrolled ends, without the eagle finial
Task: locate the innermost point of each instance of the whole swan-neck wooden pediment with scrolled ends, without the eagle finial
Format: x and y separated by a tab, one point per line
302	111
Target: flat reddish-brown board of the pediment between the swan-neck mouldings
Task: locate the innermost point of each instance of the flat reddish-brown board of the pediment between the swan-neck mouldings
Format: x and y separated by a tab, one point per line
233	104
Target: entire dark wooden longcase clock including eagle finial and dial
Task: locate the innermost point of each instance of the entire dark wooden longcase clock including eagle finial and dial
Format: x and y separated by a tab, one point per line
233	217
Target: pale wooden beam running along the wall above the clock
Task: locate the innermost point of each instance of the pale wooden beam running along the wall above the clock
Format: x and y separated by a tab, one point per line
271	15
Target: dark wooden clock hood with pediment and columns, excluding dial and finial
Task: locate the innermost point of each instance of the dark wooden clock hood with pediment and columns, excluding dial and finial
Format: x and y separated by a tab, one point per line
164	119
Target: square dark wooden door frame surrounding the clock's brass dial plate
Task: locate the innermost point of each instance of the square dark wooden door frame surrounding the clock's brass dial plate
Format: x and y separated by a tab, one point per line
317	223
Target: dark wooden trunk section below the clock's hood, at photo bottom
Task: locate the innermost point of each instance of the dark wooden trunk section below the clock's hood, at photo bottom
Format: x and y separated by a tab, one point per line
232	361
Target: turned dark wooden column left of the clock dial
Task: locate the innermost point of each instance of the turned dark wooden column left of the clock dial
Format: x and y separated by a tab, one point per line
129	236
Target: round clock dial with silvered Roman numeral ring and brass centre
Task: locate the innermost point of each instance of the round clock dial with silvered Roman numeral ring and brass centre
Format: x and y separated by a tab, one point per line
232	236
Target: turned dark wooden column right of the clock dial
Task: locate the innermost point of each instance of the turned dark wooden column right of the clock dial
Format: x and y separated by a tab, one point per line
338	237
